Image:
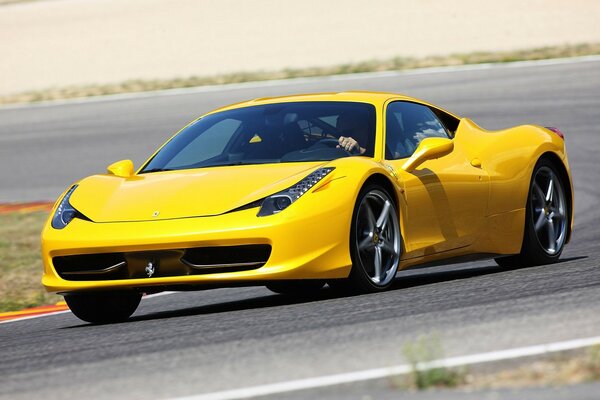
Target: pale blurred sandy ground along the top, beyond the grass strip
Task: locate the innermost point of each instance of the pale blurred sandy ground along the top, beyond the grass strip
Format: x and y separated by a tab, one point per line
57	43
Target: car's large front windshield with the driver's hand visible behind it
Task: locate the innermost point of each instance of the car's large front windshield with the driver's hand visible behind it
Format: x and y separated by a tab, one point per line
273	133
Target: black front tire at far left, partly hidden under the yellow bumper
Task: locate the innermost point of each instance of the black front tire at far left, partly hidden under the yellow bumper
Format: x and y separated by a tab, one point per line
103	307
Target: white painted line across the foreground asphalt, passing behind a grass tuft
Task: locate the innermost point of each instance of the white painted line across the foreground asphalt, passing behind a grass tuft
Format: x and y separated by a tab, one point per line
402	369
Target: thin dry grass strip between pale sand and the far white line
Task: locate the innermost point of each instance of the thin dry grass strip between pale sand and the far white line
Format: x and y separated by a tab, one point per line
394	64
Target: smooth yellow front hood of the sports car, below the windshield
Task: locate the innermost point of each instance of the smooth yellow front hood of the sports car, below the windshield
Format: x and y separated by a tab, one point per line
185	193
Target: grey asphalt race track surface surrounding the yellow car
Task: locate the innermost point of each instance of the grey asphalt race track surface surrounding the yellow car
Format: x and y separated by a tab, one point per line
199	342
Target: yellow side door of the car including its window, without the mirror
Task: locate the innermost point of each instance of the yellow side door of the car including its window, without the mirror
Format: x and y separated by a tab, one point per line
446	198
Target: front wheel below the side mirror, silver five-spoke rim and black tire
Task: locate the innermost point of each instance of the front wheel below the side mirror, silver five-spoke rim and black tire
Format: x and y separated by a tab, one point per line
364	277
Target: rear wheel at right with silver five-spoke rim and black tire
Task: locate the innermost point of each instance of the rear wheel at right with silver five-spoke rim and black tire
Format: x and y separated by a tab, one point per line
538	248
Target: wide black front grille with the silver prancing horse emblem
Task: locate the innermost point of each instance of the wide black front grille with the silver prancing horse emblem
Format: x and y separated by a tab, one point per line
145	264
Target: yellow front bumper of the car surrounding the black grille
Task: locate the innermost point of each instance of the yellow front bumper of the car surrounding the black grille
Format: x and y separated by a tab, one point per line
304	245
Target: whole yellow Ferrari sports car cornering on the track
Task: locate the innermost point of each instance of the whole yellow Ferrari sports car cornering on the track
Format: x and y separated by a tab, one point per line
299	191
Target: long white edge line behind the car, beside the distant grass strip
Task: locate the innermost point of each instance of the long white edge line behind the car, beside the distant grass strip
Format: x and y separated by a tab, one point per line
299	81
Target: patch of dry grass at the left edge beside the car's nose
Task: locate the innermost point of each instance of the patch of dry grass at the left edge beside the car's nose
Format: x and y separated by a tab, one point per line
20	262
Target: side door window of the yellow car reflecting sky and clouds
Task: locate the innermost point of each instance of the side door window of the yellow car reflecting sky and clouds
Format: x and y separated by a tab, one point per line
406	125
